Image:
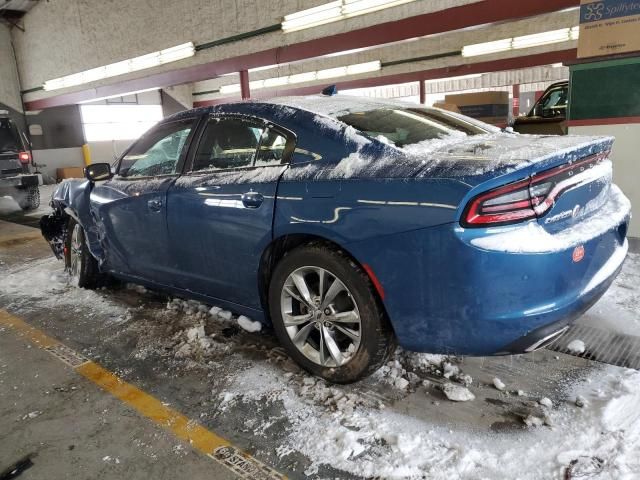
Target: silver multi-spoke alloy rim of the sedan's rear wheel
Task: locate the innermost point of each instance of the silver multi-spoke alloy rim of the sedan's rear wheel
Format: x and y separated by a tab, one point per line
320	316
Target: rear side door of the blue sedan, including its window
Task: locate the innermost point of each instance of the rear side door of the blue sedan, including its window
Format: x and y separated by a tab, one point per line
220	212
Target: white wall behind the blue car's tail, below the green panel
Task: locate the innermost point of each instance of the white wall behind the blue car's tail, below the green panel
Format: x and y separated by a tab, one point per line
625	162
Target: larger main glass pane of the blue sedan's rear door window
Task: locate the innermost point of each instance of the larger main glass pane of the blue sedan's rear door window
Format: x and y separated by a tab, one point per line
228	143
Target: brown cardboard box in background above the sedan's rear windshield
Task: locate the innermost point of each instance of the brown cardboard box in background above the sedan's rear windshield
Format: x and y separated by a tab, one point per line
490	107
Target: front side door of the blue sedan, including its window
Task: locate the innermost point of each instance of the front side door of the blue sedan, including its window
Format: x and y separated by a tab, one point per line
130	209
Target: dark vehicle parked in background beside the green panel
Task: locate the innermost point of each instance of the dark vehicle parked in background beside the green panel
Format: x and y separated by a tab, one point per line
548	116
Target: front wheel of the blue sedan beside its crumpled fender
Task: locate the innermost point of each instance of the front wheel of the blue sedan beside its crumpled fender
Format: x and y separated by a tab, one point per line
79	263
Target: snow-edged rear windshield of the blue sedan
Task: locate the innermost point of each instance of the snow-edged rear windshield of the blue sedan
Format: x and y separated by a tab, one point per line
406	126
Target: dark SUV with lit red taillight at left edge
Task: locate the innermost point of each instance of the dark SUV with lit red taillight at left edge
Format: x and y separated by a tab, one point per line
16	179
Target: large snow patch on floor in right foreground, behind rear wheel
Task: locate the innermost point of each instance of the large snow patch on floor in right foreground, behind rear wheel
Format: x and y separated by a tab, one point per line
384	443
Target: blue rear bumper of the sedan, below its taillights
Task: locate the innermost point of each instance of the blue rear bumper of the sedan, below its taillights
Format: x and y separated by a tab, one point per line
444	293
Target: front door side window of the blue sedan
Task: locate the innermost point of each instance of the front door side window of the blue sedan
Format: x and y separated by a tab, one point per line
157	152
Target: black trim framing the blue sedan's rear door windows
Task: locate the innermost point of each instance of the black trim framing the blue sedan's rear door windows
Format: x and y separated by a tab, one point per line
287	155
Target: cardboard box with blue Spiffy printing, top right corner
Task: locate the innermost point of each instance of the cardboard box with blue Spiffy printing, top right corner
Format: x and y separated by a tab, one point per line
608	27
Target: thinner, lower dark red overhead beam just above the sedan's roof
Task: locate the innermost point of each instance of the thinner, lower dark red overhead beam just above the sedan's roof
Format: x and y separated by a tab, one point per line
515	63
